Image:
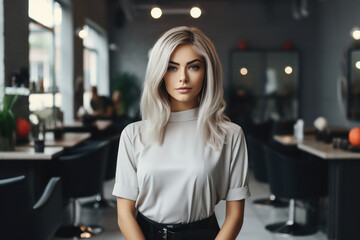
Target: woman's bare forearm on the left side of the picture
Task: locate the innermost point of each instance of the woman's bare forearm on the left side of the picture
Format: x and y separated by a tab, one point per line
126	220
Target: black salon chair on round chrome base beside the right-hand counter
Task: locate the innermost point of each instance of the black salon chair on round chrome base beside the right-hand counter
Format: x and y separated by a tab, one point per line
296	177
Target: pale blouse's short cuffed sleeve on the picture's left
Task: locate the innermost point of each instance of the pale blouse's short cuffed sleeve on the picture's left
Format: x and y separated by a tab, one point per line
126	184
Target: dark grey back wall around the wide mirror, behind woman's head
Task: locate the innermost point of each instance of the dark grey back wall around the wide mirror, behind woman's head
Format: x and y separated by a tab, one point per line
322	39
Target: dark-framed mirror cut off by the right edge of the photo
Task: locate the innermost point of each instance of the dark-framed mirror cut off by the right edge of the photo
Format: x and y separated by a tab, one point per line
354	84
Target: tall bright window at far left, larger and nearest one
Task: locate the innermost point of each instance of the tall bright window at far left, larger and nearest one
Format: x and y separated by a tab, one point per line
44	54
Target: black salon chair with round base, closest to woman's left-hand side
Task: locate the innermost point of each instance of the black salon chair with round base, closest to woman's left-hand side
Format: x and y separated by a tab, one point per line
83	172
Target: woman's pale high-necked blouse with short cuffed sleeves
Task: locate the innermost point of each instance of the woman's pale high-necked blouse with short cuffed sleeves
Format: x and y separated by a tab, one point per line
181	180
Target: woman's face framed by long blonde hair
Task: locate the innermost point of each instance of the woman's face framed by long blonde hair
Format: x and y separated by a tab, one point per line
184	78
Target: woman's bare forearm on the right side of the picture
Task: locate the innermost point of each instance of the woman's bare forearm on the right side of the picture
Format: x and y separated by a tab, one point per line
233	220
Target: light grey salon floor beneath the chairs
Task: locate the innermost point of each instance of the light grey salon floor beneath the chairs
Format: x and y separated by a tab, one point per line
256	217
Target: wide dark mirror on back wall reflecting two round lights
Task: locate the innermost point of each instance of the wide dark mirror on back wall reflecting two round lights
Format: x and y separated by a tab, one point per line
264	85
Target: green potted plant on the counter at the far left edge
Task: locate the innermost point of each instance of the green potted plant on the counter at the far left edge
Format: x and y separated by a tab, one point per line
7	123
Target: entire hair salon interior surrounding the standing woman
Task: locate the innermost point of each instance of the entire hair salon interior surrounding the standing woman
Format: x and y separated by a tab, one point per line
291	73
